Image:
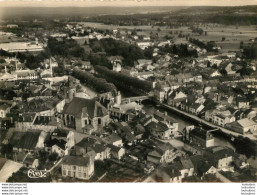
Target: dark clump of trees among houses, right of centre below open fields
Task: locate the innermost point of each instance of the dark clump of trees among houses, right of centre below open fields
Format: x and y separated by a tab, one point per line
180	50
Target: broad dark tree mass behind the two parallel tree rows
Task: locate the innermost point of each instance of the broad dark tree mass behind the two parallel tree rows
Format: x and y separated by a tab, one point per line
112	47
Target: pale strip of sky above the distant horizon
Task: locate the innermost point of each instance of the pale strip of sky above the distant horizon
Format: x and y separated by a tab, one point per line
122	3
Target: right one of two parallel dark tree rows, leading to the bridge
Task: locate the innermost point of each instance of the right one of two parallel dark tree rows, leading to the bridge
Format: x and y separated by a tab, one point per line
124	81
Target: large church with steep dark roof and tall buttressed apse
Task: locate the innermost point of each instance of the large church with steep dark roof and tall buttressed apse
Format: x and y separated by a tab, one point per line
85	114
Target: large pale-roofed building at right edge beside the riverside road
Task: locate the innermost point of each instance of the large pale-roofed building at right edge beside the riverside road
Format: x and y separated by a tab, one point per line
243	126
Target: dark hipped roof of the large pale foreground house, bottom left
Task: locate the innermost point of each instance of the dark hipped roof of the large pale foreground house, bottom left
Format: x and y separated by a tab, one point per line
76	160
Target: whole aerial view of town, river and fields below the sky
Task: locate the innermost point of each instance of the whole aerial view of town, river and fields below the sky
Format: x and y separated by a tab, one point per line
128	94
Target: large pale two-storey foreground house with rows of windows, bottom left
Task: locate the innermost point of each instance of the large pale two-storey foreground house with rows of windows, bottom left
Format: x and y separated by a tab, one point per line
78	167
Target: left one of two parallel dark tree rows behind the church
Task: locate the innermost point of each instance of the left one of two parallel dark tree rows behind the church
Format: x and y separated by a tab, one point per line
98	84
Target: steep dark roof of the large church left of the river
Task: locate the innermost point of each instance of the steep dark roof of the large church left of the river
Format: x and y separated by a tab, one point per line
87	107
